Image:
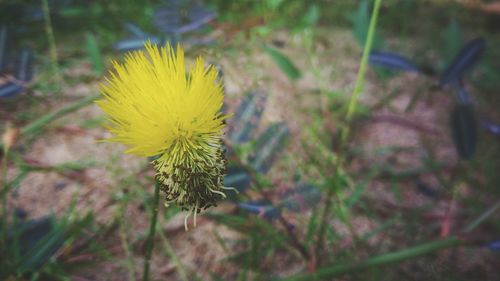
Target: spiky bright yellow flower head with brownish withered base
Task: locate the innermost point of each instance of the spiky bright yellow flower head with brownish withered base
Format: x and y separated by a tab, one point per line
158	109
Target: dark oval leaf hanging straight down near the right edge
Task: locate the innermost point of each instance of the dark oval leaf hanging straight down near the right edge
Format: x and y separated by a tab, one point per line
464	130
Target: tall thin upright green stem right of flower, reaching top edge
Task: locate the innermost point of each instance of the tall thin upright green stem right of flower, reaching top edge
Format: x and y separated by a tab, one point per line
344	132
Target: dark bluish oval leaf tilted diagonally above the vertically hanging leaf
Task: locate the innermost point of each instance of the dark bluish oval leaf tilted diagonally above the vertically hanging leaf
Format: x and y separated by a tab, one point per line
463	62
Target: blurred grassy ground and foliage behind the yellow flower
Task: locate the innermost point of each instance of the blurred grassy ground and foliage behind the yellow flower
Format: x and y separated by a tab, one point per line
402	185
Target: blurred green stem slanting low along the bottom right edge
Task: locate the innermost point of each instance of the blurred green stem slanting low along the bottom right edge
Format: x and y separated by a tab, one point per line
377	261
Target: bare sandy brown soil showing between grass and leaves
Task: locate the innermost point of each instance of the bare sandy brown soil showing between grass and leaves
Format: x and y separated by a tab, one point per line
95	188
